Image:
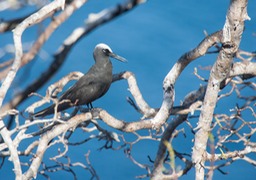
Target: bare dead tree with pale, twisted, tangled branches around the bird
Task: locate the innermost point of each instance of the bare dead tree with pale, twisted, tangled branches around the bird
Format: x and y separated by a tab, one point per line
234	69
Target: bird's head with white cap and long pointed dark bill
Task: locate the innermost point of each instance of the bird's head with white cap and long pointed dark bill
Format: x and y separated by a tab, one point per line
104	51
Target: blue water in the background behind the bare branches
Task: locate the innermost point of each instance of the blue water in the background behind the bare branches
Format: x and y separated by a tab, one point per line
152	37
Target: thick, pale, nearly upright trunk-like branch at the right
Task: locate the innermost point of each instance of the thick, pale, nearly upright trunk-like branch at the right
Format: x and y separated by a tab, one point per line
232	32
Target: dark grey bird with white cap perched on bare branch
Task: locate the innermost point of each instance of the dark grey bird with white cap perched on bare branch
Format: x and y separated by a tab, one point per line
91	86
